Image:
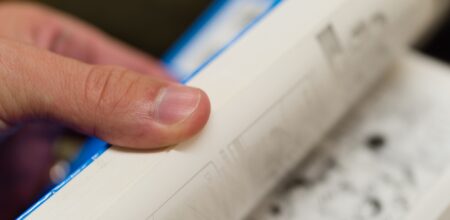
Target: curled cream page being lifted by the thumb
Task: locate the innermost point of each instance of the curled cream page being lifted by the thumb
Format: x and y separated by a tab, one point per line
276	93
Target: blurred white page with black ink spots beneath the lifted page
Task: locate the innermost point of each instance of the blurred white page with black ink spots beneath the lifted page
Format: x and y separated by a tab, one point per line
349	178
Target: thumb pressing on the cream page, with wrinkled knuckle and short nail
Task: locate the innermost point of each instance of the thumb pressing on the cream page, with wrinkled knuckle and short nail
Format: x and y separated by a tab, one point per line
115	104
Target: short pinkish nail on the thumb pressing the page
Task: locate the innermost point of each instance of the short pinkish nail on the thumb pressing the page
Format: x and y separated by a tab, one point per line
174	104
